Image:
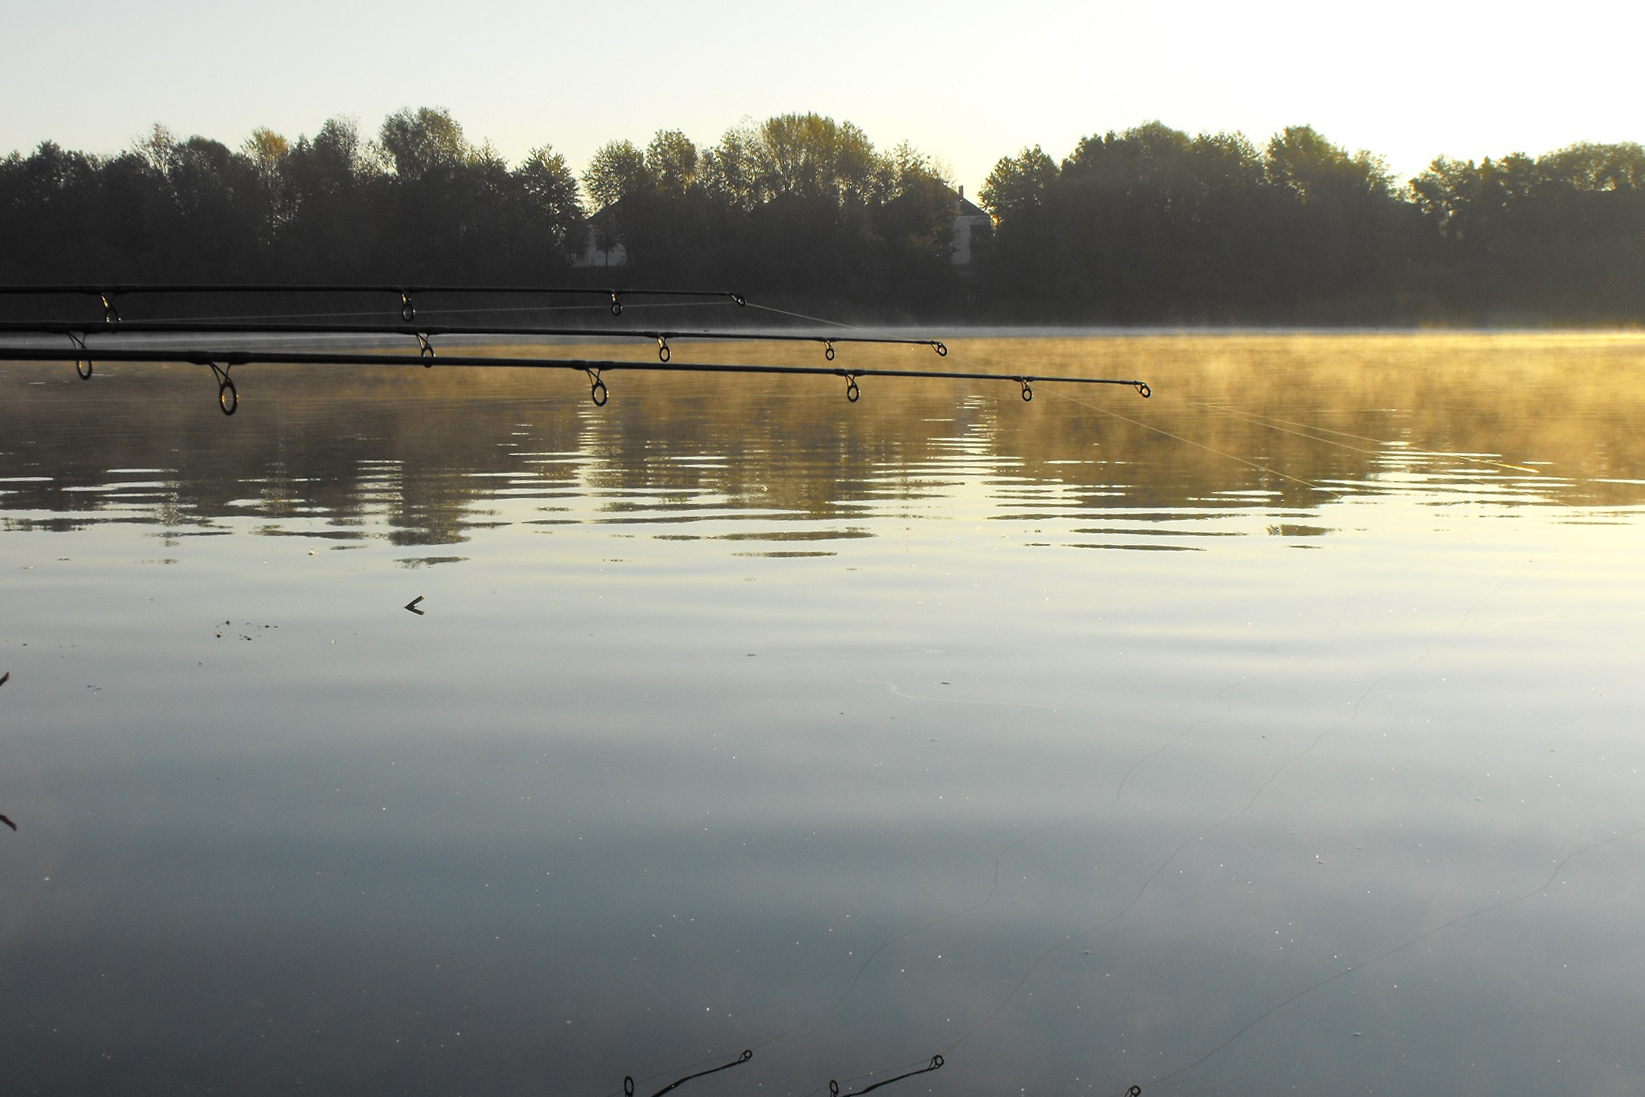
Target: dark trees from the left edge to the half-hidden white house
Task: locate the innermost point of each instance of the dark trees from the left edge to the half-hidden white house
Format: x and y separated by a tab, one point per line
420	203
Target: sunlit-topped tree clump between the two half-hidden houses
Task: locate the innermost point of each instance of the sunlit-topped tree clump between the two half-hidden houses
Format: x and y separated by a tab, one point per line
800	206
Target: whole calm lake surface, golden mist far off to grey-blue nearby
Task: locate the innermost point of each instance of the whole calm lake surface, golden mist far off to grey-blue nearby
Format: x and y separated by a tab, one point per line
1276	734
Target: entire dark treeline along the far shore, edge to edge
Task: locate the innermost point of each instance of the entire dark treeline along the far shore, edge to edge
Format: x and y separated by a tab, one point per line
1147	226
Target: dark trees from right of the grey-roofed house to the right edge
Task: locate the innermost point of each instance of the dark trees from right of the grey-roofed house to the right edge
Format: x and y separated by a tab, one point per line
1159	226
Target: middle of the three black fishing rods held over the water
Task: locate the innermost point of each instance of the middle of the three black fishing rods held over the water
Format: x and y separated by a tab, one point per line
422	333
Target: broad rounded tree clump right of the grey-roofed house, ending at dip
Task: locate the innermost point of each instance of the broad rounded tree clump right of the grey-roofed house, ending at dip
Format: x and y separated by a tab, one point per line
1157	226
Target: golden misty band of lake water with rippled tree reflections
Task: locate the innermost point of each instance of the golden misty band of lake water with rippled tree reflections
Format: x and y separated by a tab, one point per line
1282	422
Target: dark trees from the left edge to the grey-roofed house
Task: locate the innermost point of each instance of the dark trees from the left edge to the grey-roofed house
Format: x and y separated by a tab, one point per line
799	208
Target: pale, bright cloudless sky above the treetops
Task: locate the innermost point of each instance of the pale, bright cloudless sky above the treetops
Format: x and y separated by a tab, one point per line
965	81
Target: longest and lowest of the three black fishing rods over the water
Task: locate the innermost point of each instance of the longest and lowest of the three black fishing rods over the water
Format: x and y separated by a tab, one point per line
229	399
